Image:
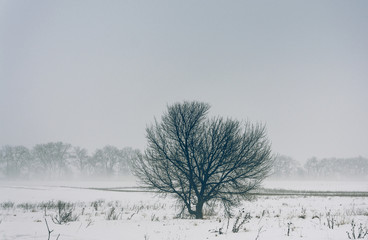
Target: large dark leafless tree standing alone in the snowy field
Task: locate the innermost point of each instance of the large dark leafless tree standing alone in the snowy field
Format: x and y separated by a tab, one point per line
201	159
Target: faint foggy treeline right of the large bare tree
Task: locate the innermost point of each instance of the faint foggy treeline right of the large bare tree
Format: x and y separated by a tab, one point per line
327	168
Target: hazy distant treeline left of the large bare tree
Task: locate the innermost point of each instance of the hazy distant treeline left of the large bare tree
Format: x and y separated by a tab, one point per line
56	160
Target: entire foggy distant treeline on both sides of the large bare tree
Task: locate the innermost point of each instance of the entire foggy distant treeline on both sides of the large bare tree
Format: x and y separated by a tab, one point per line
57	160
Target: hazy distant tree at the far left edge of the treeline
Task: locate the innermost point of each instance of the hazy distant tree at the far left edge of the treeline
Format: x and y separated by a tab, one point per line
15	161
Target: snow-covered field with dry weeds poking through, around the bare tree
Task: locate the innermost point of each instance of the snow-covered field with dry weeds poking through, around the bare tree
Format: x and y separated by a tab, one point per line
101	214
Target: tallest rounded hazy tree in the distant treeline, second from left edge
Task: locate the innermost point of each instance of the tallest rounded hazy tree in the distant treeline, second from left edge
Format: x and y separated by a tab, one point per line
52	158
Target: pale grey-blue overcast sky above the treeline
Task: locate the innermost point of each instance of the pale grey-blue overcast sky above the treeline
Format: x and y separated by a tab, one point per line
93	73
